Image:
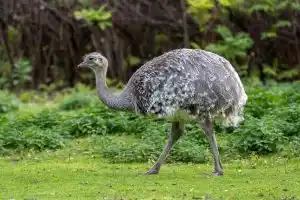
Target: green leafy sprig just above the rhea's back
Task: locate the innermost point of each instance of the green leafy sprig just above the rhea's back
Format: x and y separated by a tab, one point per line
231	46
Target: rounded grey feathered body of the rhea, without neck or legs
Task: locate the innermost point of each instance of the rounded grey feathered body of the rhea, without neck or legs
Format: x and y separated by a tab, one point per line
199	82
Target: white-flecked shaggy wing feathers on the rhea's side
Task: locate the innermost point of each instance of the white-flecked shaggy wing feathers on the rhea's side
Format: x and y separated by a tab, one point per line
161	87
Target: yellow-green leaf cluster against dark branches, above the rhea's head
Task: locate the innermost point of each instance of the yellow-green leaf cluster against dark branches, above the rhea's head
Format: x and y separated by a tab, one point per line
99	16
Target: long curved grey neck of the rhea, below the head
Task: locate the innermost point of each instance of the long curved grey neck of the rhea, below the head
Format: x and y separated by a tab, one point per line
120	102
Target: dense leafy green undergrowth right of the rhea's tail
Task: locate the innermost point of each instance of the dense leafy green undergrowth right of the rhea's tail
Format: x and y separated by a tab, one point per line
271	120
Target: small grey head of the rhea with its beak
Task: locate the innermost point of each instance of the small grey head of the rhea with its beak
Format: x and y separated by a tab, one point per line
96	61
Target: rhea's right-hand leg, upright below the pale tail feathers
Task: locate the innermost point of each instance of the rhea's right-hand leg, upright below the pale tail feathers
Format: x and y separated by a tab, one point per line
207	126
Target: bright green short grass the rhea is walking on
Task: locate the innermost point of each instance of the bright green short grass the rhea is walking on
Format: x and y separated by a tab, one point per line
76	172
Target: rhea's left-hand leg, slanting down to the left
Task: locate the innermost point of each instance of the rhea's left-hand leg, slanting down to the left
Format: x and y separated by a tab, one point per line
176	132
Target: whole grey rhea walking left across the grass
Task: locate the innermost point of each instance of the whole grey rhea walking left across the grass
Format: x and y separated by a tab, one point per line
196	82
